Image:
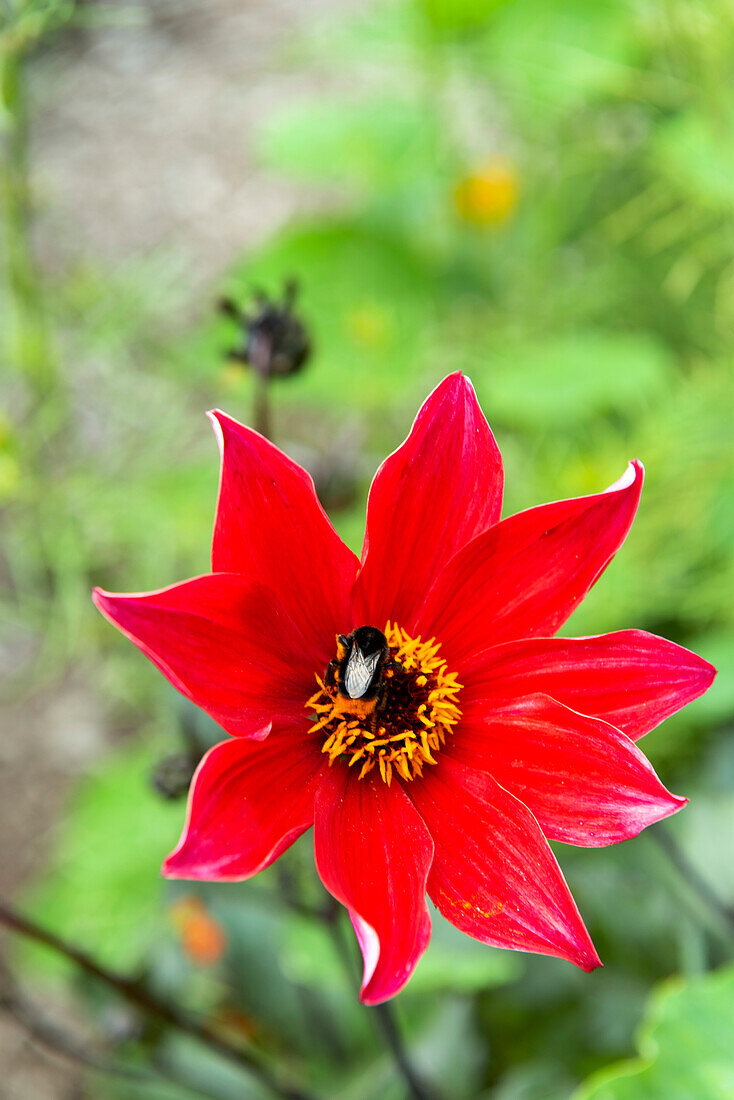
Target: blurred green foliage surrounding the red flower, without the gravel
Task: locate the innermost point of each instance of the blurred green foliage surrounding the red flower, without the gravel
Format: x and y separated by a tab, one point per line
595	312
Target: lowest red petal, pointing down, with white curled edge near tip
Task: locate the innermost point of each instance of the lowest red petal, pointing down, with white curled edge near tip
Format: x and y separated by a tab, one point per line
374	854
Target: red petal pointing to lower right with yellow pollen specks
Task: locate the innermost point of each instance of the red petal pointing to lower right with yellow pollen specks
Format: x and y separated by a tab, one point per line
495	876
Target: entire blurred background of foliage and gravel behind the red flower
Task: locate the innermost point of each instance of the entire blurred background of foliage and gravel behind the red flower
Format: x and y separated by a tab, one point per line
539	193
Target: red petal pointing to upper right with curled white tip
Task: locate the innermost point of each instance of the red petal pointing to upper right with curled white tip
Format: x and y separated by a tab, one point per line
524	577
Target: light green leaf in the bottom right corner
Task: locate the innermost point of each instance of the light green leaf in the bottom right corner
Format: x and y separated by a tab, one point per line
686	1047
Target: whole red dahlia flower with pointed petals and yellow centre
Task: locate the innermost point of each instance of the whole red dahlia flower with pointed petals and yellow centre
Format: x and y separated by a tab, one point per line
445	736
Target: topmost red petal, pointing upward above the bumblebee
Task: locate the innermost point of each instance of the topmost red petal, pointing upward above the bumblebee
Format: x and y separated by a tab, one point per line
434	494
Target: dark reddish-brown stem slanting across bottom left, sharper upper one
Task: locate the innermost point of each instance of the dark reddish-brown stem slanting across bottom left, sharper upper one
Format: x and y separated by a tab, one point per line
135	992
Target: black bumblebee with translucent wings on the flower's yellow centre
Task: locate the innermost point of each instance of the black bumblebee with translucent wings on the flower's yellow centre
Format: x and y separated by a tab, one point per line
356	674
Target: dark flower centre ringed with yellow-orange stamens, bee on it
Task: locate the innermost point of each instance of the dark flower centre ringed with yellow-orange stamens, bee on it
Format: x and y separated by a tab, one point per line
387	701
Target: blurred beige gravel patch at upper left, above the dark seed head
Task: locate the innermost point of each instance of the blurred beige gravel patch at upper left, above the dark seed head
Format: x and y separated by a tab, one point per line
146	135
